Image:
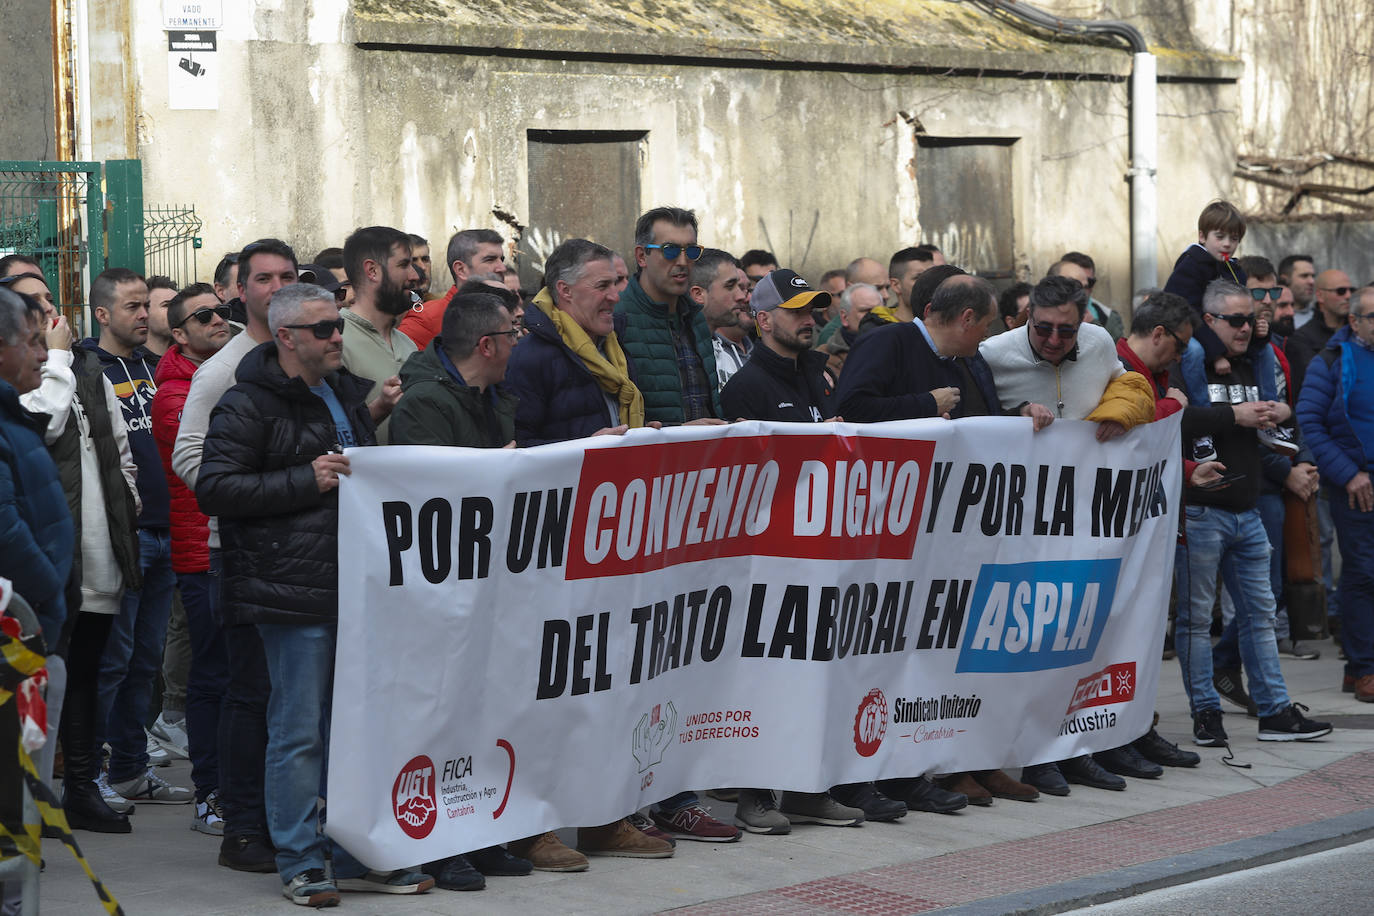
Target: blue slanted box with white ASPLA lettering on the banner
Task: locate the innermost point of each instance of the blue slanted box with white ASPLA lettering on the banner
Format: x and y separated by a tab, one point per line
1033	617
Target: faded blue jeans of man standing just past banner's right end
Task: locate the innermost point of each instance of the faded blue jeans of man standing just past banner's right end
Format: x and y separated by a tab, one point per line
1236	543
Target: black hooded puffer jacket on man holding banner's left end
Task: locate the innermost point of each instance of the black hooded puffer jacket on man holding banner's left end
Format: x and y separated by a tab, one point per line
278	532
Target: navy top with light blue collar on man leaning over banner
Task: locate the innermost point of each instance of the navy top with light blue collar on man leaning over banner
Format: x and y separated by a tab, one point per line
891	373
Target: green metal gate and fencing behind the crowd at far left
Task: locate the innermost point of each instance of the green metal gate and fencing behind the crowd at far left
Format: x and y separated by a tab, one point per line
79	218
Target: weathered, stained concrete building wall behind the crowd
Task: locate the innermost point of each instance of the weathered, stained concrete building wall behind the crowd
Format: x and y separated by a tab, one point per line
317	137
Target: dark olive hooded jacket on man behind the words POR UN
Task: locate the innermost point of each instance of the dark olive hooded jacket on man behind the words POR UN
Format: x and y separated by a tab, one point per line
435	410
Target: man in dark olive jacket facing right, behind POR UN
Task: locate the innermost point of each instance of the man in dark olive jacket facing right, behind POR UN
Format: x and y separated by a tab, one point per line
450	389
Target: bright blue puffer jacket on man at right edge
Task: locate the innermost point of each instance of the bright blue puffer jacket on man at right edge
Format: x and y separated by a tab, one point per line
1321	415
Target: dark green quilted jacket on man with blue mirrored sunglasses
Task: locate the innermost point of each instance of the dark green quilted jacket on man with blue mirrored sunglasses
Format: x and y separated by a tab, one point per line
648	339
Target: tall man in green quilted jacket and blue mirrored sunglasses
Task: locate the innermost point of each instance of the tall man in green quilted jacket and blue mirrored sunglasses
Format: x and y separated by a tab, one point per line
666	334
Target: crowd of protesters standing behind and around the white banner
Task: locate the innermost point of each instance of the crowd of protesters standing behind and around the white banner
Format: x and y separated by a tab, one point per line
170	509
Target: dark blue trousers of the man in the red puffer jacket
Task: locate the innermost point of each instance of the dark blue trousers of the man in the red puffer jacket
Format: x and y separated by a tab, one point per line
207	680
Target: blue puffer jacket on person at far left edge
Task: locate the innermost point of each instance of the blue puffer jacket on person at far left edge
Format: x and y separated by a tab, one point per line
36	534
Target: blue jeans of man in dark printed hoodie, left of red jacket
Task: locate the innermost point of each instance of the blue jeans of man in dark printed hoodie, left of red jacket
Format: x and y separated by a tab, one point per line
134	657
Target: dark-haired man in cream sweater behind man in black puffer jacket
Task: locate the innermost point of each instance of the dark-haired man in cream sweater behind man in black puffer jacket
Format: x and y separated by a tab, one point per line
264	267
